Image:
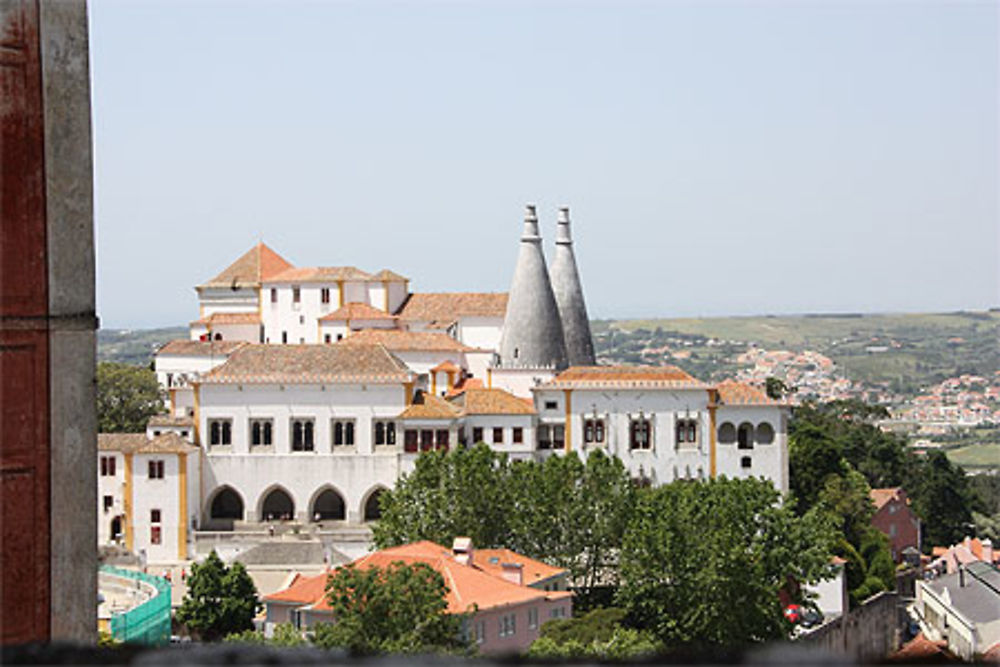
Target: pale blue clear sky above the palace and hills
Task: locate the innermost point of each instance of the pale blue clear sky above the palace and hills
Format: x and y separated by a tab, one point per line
718	158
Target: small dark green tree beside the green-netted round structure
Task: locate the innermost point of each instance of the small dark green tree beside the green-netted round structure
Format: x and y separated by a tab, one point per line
220	600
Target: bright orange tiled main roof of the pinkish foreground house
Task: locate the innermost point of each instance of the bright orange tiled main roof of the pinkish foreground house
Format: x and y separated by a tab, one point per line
469	586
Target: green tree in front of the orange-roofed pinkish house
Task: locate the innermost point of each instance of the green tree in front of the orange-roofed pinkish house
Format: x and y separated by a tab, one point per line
397	609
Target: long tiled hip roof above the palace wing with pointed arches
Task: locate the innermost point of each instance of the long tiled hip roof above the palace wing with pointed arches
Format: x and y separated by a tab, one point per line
305	364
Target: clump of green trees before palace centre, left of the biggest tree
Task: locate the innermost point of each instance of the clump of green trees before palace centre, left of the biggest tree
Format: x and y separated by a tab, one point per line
566	512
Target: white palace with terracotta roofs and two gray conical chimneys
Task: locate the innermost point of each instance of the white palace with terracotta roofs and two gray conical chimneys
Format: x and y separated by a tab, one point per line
305	391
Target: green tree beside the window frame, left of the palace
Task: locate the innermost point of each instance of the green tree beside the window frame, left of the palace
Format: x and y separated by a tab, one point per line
127	396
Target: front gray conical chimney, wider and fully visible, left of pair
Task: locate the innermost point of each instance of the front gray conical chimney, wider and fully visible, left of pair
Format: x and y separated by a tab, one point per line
532	332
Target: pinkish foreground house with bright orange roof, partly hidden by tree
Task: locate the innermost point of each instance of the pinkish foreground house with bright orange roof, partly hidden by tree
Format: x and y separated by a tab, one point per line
507	596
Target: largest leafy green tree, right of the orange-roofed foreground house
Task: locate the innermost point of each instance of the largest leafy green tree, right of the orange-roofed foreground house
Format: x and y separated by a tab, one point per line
702	563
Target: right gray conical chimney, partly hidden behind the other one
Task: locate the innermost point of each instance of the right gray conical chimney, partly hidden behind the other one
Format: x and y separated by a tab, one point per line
569	297
